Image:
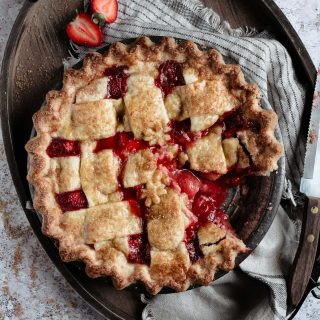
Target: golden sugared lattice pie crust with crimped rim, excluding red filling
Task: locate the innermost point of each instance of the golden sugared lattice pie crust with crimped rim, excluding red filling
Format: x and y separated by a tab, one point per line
97	234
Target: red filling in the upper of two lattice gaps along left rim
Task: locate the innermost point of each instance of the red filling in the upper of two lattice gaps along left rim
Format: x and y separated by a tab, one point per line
63	148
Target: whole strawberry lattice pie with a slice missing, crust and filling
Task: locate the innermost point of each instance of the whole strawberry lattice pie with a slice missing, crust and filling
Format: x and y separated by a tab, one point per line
134	157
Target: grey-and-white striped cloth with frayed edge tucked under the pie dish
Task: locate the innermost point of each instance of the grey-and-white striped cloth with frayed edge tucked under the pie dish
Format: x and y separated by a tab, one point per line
258	291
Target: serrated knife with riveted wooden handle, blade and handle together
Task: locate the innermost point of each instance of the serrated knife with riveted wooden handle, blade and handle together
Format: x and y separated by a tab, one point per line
310	186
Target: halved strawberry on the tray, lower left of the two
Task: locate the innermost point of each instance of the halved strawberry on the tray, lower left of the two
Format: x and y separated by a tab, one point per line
84	31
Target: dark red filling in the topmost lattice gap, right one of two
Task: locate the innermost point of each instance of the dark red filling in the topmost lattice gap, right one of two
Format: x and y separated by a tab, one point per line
170	75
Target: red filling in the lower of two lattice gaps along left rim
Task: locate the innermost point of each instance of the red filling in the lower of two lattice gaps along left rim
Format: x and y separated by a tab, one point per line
72	200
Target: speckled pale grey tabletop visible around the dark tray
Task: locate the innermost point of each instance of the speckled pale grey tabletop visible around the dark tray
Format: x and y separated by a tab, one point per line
31	287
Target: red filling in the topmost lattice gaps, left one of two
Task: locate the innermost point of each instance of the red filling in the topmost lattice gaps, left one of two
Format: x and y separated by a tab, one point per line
117	85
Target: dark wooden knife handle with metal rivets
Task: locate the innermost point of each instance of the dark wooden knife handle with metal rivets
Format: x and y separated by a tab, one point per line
306	253
